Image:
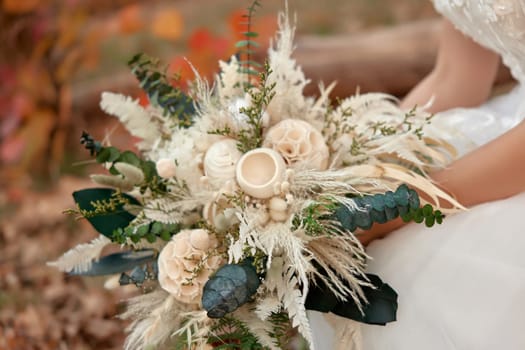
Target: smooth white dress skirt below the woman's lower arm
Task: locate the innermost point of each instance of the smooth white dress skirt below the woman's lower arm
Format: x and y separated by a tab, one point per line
461	285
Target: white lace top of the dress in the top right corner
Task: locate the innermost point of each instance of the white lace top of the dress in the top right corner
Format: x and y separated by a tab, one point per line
496	24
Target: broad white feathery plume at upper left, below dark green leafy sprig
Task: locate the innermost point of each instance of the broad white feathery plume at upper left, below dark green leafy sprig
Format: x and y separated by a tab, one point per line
132	115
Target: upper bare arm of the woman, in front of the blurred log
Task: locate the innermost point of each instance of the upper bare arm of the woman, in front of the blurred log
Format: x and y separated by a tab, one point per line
463	74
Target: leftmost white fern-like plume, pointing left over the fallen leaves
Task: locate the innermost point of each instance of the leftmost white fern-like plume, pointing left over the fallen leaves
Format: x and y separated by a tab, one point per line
80	258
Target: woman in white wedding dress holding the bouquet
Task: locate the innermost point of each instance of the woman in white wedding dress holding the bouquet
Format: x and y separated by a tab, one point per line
461	285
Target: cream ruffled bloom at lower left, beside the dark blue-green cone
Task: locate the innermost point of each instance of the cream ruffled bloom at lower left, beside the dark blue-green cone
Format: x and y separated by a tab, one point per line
180	257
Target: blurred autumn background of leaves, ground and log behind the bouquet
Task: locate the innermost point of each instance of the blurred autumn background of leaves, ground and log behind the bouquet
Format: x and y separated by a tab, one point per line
57	56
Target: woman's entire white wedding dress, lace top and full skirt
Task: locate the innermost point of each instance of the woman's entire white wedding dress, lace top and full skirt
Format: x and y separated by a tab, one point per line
461	285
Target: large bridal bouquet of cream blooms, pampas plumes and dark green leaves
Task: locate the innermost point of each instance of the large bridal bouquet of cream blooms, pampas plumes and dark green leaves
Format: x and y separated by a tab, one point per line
243	208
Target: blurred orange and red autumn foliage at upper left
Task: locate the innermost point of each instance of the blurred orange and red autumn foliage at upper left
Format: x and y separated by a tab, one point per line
55	43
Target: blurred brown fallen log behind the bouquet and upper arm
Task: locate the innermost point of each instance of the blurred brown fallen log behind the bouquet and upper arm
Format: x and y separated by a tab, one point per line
390	60
